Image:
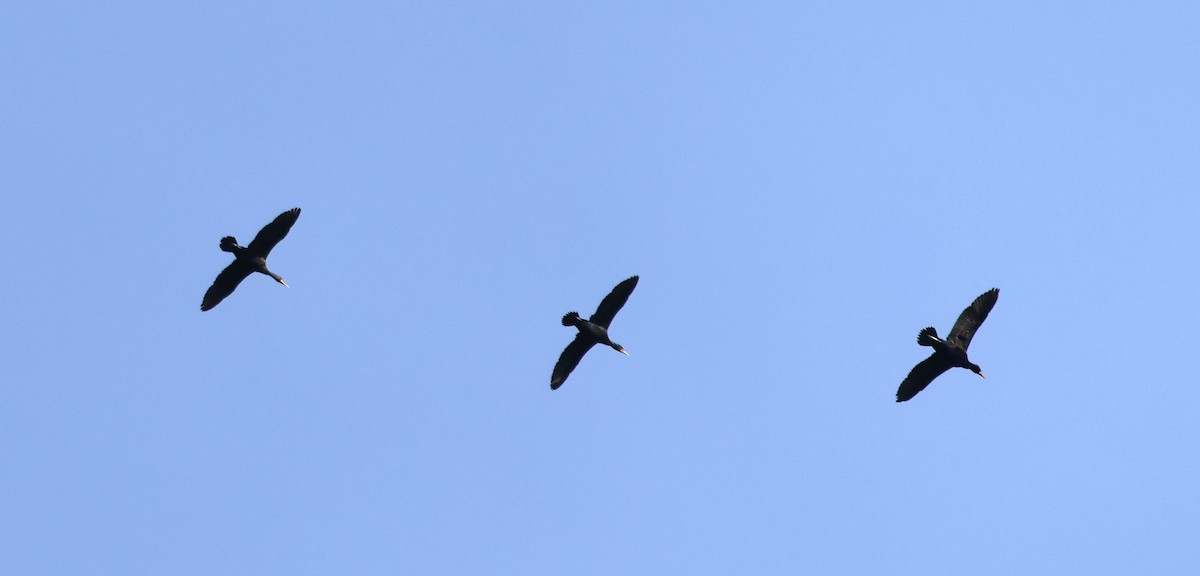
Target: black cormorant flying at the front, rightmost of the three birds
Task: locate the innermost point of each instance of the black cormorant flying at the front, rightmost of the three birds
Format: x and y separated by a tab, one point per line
951	352
